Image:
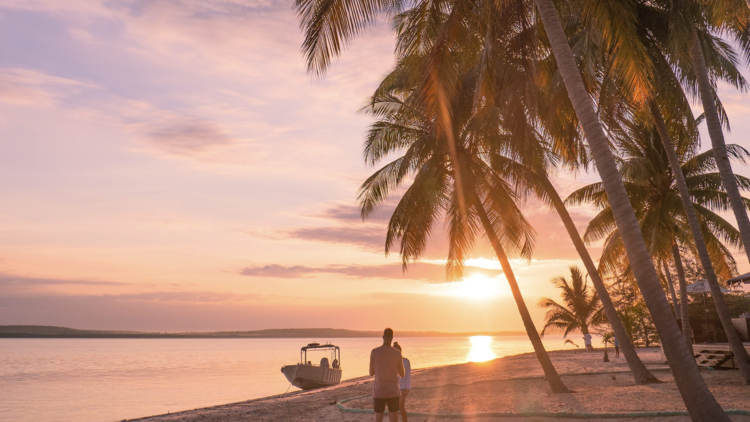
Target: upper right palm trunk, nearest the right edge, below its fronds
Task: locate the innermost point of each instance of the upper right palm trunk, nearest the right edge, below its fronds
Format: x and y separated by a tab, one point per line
717	143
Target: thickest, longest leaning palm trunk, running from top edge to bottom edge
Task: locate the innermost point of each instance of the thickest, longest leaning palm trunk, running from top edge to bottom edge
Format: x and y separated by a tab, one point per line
700	403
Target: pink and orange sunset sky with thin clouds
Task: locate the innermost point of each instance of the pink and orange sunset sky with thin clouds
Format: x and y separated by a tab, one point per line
171	166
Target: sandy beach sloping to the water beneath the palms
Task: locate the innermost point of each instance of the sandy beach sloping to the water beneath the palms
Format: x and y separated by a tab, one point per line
507	389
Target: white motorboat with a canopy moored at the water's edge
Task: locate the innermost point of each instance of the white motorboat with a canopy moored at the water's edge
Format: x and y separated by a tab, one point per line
306	375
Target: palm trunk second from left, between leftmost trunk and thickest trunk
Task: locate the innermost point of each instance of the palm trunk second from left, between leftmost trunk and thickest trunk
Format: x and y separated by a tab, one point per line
640	373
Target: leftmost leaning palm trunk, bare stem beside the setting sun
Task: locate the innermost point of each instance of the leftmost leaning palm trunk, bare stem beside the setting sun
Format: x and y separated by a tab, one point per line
553	378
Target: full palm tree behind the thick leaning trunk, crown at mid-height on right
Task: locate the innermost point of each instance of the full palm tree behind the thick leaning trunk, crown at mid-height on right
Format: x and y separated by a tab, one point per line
651	186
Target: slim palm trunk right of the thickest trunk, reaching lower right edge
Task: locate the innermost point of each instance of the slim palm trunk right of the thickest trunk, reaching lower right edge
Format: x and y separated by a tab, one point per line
743	359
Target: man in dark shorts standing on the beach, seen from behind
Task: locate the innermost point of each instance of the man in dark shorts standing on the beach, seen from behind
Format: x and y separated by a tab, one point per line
386	364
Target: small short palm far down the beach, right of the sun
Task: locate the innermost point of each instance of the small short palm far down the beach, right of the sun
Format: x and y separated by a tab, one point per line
580	310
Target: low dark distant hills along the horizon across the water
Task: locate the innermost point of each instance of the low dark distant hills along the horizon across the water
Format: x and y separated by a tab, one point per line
45	331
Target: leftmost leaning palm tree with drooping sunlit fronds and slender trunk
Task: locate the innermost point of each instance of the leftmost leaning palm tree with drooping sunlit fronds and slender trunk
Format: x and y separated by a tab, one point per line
489	204
